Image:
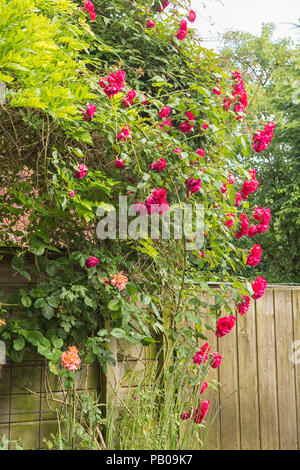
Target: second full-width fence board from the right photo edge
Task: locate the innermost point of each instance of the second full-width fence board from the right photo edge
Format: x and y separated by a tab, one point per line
268	406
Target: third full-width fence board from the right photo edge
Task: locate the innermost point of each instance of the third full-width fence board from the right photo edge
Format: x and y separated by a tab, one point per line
248	384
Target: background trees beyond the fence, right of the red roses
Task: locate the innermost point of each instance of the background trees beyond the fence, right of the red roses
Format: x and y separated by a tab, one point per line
271	71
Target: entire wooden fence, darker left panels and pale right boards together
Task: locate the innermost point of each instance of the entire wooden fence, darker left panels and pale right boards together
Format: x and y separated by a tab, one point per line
259	399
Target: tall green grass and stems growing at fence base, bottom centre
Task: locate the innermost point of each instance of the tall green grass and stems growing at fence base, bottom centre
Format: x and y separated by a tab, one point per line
148	415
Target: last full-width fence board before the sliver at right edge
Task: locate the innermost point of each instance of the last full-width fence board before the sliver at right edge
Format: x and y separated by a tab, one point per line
285	369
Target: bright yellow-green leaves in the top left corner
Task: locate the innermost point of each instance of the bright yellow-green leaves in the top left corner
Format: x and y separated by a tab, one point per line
39	58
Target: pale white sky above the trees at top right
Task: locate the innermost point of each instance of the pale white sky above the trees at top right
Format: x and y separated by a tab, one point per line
246	15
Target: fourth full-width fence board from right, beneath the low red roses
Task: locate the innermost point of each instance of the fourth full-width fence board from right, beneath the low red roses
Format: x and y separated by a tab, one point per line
229	396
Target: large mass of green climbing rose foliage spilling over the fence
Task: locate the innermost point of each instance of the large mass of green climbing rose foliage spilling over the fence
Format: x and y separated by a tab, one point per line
58	64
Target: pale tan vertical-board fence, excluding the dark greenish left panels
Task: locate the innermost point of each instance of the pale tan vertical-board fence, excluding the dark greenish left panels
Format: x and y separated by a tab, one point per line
258	404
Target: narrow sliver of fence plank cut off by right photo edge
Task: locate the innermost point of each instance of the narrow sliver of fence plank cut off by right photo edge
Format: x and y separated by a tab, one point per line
296	354
